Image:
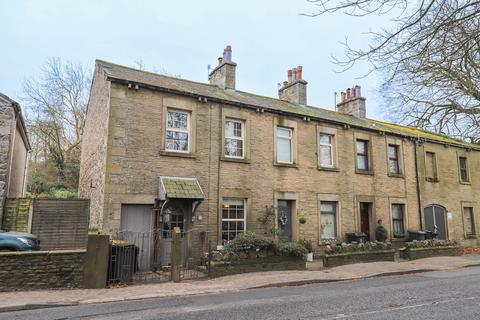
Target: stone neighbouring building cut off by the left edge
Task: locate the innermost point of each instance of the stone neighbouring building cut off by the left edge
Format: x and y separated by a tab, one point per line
14	149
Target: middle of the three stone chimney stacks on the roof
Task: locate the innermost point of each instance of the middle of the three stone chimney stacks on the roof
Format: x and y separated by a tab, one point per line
295	88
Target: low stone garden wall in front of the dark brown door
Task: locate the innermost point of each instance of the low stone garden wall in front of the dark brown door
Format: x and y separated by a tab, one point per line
338	259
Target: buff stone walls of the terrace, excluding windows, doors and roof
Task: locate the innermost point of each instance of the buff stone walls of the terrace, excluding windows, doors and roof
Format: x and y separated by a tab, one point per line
136	157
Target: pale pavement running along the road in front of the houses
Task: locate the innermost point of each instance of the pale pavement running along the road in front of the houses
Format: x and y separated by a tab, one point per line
25	300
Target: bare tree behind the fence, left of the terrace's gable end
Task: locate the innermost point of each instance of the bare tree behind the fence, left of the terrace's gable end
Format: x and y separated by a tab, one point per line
56	105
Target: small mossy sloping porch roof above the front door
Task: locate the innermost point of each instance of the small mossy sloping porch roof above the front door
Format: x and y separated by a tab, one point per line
181	188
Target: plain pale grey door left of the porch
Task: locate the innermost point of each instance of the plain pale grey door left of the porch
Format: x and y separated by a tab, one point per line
136	224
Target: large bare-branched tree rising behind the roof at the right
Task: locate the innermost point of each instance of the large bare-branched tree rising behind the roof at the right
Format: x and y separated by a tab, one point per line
430	60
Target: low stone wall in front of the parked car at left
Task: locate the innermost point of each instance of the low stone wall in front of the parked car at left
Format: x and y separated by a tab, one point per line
32	270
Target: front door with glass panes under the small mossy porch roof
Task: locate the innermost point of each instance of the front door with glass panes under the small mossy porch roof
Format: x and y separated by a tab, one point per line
174	215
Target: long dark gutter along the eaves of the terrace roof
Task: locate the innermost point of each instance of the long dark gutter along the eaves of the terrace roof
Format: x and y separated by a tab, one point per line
286	113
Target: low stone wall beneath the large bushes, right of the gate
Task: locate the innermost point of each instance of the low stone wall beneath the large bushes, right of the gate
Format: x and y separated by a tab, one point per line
274	263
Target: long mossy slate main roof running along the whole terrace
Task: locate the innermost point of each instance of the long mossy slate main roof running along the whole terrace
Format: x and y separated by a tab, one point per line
115	72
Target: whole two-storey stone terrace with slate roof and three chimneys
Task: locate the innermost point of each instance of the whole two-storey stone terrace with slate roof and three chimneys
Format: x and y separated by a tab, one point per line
160	152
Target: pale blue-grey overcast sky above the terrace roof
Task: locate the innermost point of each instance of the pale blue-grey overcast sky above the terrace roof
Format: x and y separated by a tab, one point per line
183	37
